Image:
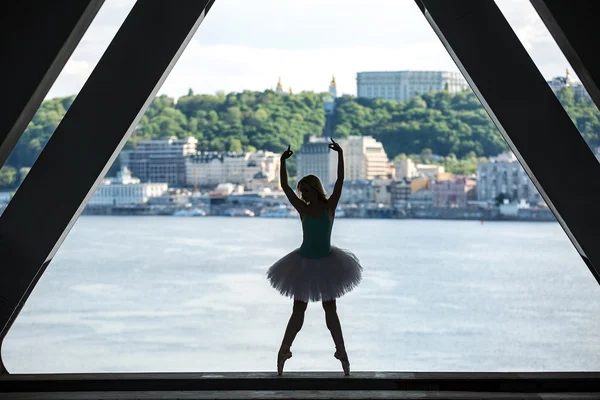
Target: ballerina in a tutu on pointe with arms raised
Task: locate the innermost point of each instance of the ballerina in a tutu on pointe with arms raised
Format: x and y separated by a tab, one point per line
316	271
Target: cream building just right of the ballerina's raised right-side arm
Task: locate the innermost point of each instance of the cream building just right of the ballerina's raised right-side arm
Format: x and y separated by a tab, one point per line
364	158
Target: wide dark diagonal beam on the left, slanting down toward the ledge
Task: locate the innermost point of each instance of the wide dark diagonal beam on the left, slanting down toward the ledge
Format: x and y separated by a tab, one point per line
88	140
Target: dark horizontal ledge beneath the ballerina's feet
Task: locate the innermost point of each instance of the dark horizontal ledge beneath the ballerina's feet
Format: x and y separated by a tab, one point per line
532	383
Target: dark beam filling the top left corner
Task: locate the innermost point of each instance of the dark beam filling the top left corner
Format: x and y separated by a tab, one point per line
38	37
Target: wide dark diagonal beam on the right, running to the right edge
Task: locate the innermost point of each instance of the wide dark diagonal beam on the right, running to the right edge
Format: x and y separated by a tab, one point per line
527	113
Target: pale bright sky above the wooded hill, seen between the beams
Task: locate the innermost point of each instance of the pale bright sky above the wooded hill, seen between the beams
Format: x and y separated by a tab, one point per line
248	45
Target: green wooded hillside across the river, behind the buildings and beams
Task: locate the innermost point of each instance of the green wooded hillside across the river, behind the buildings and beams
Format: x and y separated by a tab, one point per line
442	122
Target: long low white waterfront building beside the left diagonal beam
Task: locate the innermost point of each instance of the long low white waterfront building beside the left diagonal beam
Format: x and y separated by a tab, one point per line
126	190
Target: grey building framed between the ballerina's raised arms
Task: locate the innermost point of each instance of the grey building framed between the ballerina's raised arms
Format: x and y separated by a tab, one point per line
316	158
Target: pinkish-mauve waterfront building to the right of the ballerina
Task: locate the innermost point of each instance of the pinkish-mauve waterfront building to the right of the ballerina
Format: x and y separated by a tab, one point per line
454	193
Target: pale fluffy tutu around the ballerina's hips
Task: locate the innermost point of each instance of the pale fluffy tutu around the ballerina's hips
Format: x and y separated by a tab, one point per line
316	279
